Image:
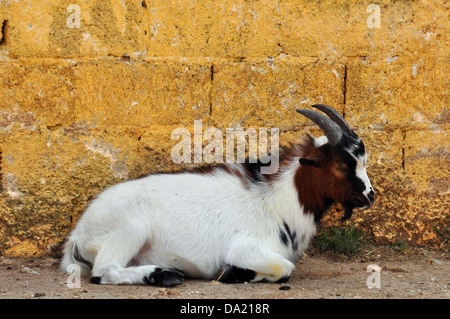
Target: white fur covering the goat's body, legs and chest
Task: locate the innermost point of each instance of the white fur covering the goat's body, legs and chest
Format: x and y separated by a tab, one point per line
196	223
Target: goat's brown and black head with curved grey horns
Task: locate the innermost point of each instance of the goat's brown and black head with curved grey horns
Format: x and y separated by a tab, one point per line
340	163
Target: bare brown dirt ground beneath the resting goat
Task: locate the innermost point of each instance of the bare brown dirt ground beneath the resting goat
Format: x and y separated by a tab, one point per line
418	274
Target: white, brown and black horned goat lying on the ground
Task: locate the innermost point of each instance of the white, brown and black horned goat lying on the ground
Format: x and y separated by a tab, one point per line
228	222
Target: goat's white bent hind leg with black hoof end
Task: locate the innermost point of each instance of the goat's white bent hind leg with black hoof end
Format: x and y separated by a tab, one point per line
110	265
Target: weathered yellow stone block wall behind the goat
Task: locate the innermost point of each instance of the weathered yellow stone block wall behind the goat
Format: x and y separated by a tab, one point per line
86	106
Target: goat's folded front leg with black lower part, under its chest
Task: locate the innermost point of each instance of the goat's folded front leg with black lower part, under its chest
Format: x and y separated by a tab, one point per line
271	268
